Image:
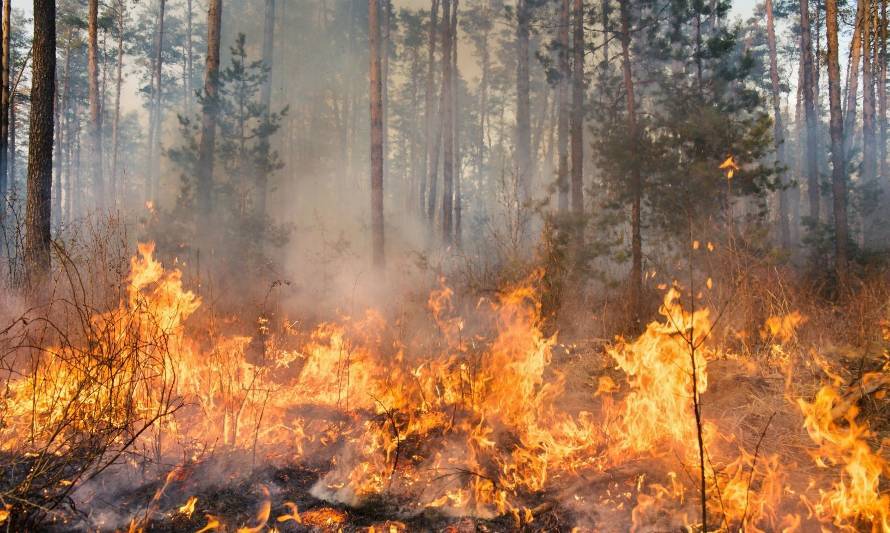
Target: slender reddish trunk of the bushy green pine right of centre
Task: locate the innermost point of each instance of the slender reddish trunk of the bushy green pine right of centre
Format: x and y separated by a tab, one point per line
636	185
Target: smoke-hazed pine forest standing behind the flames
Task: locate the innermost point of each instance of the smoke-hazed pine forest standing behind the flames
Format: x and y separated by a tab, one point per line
594	132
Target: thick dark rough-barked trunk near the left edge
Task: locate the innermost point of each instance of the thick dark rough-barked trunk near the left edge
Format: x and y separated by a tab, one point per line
40	145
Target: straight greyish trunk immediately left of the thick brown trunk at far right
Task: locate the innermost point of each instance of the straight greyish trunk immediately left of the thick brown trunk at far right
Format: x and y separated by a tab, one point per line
812	130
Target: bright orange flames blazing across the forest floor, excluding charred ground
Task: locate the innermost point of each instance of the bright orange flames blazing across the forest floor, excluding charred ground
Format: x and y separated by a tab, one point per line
471	424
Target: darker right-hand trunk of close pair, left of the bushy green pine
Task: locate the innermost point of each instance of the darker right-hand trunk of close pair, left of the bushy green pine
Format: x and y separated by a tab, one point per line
578	109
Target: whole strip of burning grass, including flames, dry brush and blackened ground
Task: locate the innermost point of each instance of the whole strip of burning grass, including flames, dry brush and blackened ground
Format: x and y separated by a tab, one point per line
482	417
